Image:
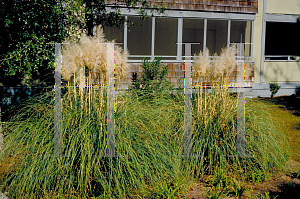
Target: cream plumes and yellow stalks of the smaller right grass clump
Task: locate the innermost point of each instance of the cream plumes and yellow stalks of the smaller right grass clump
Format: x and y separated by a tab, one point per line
209	73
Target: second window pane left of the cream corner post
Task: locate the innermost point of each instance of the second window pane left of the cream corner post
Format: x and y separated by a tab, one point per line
216	35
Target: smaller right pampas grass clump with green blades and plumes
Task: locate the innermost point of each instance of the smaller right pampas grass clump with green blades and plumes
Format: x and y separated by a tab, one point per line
215	125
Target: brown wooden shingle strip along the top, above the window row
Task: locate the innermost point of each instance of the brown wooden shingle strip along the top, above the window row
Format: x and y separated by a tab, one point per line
231	6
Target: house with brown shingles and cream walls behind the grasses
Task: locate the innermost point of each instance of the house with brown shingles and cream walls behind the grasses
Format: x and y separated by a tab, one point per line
268	29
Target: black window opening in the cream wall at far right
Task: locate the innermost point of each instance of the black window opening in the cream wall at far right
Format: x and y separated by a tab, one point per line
282	41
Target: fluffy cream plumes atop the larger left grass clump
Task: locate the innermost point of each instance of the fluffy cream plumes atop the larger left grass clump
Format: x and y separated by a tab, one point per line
91	52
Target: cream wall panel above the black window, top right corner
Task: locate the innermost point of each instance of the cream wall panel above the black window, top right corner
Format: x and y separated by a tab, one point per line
291	7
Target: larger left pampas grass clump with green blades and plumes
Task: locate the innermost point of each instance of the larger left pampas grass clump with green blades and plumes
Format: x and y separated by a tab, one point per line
145	148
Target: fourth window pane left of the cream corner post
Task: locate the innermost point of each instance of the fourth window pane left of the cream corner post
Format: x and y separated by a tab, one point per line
165	37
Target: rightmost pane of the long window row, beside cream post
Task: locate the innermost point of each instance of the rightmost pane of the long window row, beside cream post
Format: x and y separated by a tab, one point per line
240	32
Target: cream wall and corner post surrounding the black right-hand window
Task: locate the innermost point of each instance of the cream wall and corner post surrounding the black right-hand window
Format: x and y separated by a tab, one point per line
285	73
